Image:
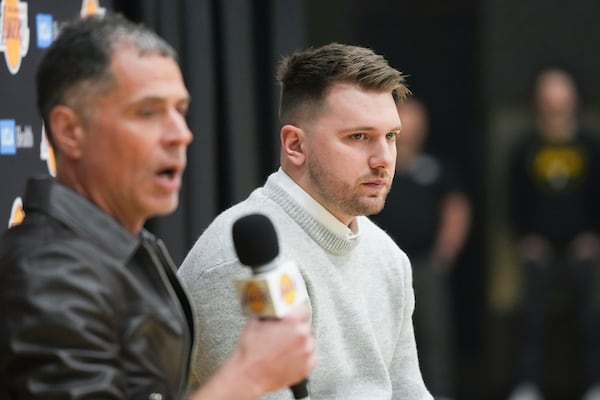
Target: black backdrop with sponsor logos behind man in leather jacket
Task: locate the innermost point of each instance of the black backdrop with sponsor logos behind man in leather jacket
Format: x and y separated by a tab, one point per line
27	28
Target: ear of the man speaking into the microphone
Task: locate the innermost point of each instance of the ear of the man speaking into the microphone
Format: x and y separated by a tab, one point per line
67	131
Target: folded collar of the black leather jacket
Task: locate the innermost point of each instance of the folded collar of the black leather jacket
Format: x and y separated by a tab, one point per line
48	196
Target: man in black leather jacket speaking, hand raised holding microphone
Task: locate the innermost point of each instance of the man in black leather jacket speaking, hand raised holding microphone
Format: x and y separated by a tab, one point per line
91	306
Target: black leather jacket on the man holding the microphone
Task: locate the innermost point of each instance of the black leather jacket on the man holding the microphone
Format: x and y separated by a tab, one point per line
88	310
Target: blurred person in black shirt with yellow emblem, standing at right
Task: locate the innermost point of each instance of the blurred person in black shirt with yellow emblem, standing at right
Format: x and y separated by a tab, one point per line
554	210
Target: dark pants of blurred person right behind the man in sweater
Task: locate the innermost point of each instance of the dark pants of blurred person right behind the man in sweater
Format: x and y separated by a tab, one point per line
434	330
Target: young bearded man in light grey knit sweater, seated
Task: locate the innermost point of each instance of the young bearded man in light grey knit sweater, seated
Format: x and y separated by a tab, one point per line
339	125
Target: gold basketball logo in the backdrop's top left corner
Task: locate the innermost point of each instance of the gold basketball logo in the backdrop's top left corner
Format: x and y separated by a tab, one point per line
14	33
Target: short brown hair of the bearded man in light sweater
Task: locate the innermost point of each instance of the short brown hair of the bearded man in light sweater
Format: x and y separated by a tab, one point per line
306	77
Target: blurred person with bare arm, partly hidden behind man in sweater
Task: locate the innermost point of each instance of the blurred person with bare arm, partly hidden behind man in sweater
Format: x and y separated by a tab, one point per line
428	214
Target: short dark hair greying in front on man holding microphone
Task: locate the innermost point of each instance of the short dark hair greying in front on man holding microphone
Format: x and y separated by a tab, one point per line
76	67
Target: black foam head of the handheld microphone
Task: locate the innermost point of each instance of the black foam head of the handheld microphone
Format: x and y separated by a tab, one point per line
255	240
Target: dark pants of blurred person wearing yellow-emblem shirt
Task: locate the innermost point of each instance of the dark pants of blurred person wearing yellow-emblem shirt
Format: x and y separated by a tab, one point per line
540	283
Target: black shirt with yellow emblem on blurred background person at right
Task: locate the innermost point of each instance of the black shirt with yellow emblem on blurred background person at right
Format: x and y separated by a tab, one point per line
554	187
